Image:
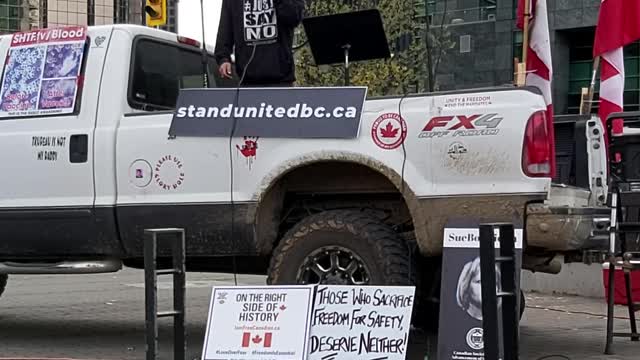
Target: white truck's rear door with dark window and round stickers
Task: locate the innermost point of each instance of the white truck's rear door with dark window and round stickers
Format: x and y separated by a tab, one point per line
162	182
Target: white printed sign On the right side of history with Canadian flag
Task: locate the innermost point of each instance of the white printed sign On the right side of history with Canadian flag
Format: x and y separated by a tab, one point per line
258	323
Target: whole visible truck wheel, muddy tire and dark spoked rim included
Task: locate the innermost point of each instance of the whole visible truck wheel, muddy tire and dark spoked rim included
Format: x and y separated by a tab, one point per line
341	247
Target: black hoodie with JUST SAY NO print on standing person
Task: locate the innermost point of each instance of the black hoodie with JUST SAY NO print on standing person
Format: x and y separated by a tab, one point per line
267	23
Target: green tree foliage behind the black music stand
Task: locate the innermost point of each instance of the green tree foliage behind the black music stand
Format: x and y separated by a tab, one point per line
405	72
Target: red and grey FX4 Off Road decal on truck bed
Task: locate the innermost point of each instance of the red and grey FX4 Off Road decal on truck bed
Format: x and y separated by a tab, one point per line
462	125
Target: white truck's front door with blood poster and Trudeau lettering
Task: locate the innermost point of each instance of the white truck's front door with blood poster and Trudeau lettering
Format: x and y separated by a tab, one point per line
47	119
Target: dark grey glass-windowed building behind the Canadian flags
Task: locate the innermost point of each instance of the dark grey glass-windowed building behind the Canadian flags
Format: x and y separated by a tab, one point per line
487	41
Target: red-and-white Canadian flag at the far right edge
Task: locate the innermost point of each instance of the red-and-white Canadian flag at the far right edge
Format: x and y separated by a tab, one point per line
618	25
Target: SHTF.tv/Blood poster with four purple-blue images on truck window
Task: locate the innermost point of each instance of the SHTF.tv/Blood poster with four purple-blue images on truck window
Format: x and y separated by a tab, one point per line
41	72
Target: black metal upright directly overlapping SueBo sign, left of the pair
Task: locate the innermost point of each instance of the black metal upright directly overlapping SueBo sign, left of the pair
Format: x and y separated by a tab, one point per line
489	296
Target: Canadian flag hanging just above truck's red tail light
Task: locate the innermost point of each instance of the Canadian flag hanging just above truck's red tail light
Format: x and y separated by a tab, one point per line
539	66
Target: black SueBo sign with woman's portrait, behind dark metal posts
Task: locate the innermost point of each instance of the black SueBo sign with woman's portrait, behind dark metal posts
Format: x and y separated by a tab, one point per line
460	335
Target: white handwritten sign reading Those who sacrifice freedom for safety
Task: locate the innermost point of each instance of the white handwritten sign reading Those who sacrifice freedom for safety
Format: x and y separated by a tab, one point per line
361	322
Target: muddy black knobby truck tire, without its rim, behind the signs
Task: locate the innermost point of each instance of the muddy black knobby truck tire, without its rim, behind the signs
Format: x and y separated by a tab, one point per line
385	255
